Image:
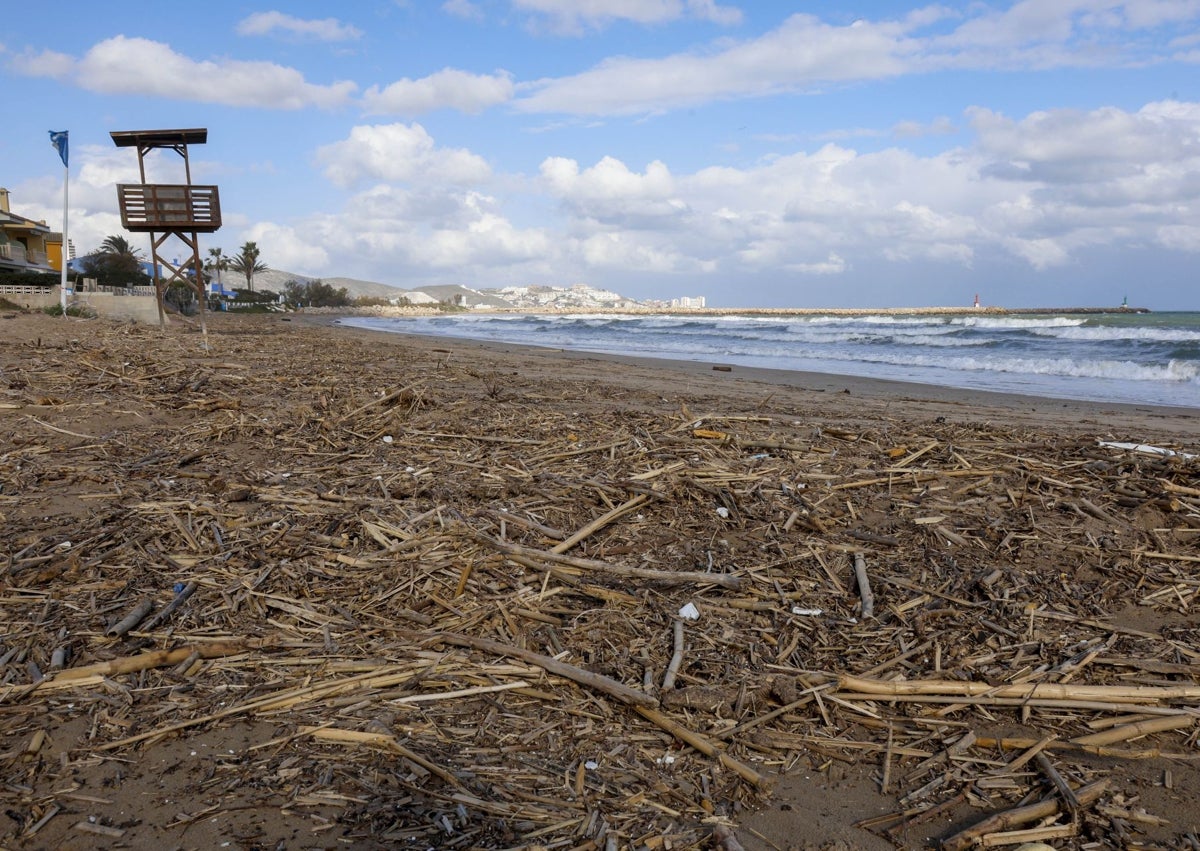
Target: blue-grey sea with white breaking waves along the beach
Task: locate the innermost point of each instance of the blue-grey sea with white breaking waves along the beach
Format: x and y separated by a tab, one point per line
1132	358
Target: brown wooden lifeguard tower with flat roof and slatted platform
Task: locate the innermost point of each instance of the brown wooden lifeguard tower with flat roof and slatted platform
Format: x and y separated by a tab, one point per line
165	211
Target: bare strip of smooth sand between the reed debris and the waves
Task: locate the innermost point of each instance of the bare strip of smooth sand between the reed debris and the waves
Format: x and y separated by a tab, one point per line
974	405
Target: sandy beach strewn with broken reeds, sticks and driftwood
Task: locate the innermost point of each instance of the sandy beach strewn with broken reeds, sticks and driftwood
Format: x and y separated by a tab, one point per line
322	588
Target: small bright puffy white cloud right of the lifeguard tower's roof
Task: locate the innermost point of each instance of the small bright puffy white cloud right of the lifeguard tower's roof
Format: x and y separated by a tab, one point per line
399	153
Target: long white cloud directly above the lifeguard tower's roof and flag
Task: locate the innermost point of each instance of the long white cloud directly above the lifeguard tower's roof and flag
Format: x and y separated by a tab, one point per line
118	67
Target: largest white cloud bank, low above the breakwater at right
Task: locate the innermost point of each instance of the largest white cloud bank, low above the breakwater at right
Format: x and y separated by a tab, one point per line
1043	189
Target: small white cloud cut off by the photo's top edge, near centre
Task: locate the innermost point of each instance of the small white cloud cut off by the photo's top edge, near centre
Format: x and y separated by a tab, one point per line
577	16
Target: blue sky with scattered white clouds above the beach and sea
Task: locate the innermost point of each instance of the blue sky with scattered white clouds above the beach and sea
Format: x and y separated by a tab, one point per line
1042	153
